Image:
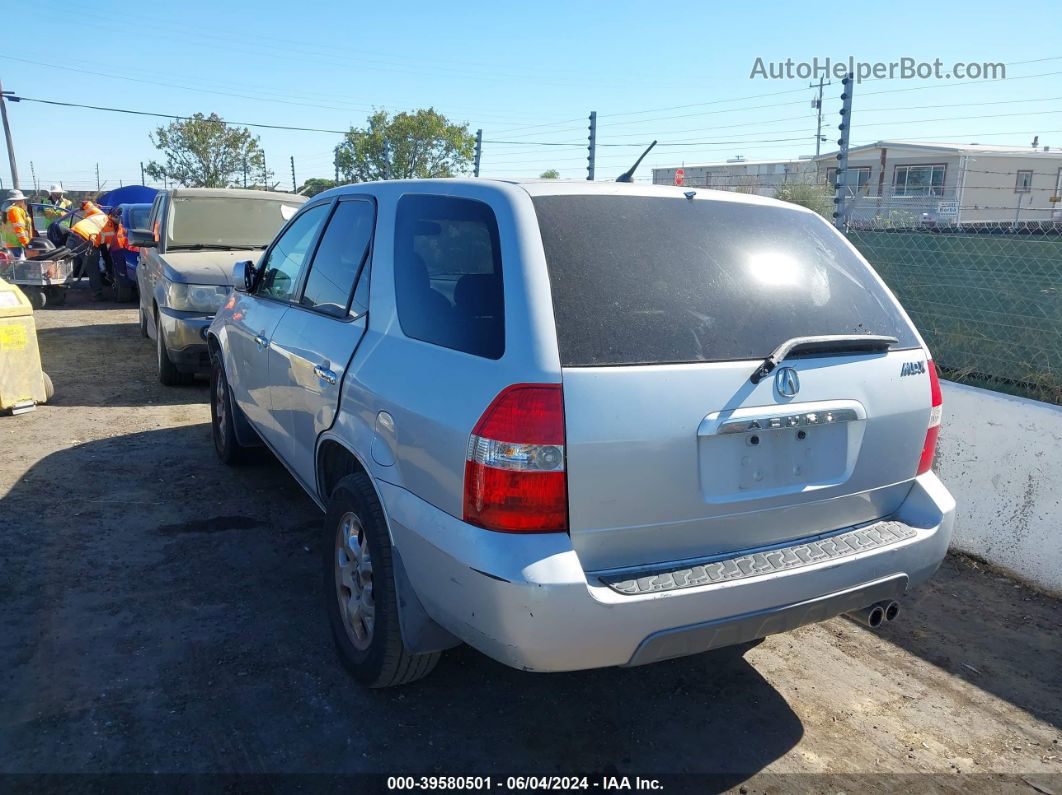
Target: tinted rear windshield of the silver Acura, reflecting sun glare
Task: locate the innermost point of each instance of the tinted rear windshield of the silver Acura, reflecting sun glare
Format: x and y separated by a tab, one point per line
655	281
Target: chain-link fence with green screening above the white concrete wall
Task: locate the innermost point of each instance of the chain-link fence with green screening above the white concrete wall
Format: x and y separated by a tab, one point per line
987	298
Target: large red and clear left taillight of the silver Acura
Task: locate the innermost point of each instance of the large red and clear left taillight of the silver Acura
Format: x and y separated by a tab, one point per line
516	479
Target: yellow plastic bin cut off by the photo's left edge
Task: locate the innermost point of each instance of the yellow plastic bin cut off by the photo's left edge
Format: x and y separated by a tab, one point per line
23	383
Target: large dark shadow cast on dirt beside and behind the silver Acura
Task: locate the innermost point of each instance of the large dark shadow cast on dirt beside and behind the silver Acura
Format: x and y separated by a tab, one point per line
173	621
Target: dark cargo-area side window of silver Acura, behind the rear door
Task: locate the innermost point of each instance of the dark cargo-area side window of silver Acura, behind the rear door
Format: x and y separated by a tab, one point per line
449	274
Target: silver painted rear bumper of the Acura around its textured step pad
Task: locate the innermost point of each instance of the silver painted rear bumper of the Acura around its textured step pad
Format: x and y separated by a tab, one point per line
527	602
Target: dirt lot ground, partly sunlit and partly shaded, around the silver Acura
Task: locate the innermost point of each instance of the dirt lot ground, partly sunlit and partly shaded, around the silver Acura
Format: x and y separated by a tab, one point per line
161	613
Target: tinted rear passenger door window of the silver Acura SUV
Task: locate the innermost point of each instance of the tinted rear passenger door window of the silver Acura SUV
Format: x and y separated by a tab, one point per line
340	258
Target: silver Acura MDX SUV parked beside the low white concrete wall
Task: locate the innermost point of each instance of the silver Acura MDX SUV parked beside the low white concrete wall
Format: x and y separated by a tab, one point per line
584	425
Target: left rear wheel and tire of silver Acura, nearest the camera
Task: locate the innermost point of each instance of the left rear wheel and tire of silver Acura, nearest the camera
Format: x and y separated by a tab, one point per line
361	593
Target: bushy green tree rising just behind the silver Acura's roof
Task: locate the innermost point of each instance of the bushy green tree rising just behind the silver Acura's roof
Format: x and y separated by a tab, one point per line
422	145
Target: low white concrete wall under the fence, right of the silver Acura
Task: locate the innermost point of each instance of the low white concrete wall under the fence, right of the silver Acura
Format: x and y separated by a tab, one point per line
1002	458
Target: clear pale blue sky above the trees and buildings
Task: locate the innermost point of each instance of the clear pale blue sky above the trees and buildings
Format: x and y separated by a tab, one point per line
523	73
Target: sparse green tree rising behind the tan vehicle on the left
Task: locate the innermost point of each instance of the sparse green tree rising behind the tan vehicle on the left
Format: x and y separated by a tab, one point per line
204	152
